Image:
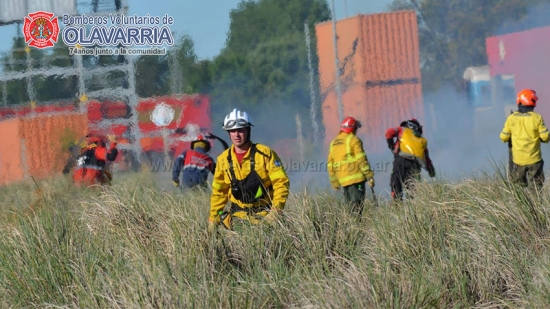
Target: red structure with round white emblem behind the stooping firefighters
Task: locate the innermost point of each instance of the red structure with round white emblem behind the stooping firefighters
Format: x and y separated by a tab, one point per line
191	116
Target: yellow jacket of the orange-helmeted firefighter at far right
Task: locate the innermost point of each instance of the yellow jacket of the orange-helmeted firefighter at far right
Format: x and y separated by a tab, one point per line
526	130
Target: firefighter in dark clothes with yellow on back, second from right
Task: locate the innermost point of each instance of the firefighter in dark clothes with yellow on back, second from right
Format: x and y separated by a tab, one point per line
411	154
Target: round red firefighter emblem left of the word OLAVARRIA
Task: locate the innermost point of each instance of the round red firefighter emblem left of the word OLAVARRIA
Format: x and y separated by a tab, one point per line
41	29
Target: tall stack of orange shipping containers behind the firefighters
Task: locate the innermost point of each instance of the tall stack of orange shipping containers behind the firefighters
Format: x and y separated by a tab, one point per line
380	80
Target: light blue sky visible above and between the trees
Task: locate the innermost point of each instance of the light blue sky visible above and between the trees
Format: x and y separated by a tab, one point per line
207	21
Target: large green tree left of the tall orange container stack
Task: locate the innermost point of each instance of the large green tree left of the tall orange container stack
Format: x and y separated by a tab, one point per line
264	62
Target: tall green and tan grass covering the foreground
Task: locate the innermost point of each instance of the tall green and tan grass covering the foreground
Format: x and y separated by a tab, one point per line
476	243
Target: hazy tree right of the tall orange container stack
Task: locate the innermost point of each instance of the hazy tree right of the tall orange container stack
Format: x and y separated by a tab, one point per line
452	33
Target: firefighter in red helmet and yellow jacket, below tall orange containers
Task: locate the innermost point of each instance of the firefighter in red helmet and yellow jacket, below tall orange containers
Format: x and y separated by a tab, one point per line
348	166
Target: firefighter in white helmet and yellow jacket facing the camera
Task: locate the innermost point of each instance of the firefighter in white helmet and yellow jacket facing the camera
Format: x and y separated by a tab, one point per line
249	176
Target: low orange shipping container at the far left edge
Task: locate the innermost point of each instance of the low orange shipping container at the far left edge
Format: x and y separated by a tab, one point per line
36	146
